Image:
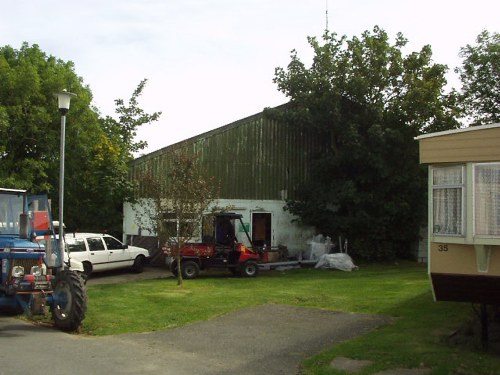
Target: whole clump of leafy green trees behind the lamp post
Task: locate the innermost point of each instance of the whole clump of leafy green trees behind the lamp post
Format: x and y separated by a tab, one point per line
97	149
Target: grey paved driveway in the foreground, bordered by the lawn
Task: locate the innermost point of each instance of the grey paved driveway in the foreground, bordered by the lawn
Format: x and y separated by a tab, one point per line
268	339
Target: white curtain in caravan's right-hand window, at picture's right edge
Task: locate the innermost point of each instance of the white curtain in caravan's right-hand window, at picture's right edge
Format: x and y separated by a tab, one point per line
487	199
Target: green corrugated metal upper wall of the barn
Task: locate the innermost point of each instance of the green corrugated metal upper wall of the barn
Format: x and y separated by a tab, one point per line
253	158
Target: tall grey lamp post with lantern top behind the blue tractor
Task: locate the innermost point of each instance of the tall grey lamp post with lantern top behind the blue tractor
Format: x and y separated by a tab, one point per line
63	99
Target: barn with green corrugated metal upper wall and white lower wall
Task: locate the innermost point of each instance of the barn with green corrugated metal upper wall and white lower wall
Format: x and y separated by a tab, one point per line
259	163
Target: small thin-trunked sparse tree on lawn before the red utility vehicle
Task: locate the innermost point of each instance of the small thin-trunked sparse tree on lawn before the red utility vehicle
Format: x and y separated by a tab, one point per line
173	203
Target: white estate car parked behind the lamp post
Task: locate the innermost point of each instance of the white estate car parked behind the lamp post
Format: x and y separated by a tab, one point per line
102	252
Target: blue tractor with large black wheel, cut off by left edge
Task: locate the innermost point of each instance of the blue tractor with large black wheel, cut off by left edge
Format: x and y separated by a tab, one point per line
36	279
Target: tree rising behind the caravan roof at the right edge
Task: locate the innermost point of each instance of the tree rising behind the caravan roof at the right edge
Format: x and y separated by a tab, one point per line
480	77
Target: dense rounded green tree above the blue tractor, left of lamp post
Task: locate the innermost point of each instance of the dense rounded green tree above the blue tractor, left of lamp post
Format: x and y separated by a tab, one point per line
29	119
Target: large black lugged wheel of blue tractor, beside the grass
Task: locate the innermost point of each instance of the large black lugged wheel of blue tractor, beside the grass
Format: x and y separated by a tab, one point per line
69	301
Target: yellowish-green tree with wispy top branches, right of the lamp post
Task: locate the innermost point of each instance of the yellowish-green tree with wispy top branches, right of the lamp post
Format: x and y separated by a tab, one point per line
99	178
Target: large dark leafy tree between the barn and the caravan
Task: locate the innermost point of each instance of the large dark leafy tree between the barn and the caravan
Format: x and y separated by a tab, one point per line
367	101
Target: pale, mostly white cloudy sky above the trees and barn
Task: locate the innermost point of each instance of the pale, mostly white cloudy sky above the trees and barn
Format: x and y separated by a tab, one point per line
212	62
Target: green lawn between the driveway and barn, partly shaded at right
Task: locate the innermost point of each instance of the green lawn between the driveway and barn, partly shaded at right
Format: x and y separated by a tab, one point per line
402	291
